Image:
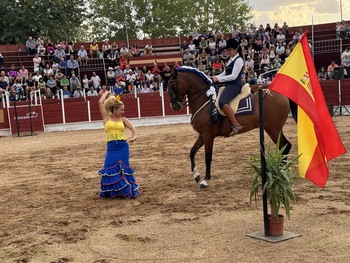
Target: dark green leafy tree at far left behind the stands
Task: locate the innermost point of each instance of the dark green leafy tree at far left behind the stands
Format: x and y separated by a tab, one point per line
54	19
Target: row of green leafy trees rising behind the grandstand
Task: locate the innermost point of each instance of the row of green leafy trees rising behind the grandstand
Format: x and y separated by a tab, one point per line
116	19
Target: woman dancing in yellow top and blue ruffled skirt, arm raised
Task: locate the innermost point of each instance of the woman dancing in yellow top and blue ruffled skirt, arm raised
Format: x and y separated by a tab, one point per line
117	177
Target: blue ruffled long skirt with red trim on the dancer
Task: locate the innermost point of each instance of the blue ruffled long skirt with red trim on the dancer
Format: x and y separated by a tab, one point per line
117	177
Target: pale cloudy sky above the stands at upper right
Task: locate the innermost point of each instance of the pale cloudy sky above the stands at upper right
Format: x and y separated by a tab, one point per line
299	12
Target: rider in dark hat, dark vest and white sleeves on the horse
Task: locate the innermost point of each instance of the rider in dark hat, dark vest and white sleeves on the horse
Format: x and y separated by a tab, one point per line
232	78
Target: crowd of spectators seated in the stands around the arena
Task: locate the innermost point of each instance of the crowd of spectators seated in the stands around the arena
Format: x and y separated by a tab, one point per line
56	66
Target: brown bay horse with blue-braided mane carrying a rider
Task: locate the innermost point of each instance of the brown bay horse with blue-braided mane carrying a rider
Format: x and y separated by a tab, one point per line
194	85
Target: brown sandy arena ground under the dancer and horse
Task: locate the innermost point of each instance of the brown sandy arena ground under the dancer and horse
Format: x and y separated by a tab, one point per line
51	212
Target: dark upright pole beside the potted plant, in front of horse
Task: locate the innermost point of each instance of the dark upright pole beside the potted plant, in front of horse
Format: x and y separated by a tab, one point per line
263	160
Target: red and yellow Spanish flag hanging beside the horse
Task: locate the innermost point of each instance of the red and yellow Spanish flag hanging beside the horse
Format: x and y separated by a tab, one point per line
318	139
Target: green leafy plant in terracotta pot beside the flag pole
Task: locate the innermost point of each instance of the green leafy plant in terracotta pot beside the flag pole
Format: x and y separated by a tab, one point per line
278	185
